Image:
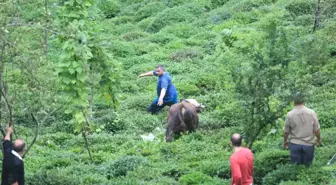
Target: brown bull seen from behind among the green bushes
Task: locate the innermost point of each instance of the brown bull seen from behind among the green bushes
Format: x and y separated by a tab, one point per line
182	117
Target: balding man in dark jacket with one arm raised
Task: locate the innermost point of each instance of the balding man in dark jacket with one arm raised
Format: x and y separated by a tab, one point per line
12	164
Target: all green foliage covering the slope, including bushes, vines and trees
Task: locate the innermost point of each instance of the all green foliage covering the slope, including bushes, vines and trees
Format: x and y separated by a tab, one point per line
74	65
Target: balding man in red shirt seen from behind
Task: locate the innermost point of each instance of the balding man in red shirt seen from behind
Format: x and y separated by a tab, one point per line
241	163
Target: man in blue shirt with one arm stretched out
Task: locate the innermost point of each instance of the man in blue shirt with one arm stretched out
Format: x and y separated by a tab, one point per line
166	92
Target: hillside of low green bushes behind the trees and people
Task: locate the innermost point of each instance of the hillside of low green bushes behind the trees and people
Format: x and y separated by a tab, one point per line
202	44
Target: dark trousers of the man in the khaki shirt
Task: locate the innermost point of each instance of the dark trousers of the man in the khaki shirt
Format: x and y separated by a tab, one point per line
301	154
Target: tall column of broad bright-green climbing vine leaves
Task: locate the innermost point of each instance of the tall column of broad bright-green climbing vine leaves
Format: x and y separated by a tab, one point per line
83	64
